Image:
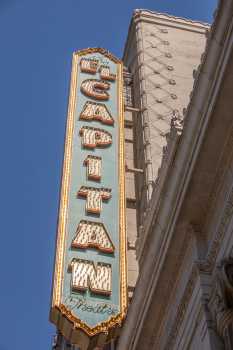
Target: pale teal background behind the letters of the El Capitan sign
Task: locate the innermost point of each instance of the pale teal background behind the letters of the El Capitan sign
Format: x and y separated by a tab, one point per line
92	314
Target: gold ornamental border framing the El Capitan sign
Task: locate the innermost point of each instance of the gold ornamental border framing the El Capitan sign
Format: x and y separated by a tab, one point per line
63	210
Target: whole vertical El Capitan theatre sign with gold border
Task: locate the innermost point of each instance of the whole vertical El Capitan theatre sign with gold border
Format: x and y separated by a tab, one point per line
90	288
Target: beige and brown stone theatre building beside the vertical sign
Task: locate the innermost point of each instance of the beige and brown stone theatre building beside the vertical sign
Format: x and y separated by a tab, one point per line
179	183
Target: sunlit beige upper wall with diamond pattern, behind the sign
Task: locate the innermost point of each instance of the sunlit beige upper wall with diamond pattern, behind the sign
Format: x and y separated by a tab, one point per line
161	52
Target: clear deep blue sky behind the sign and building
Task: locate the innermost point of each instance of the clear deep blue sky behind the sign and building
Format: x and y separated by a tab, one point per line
37	40
